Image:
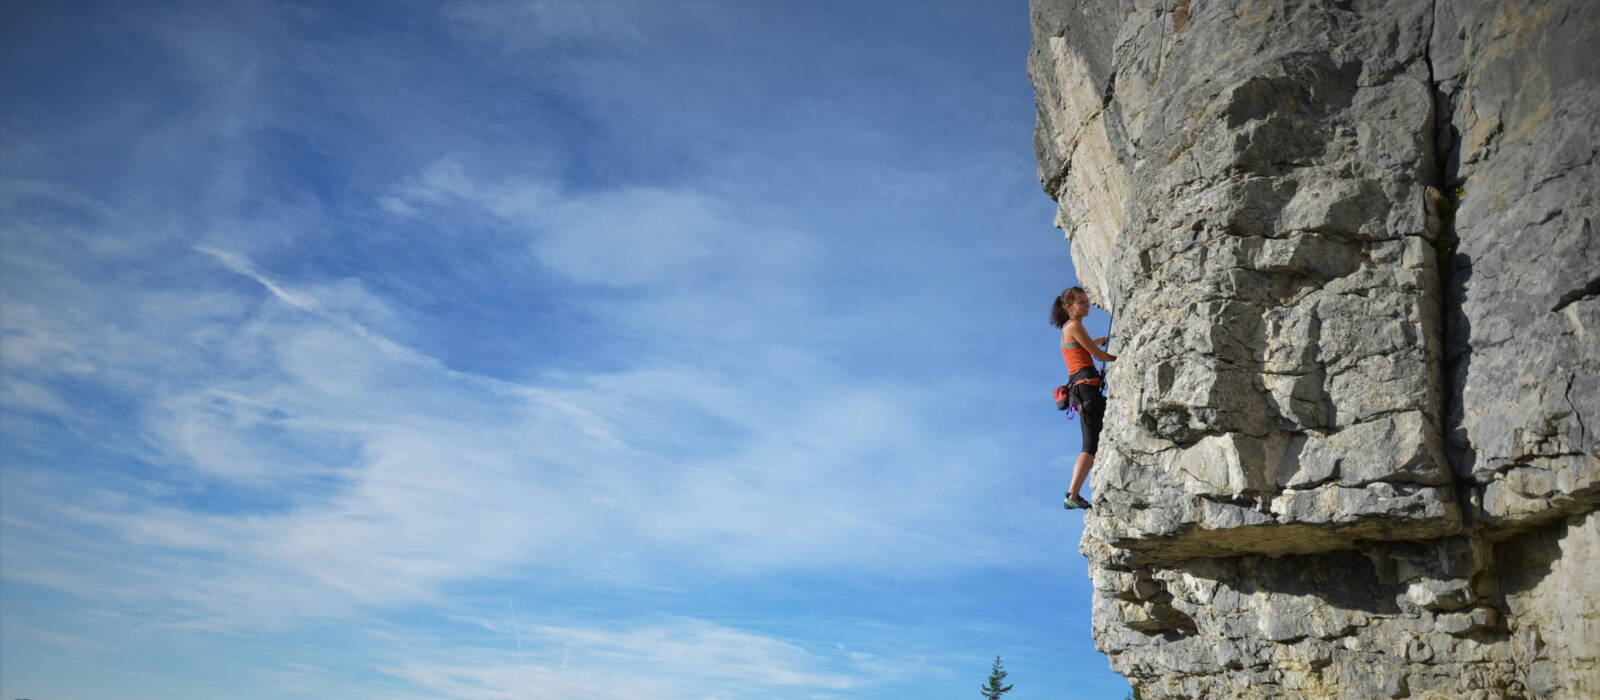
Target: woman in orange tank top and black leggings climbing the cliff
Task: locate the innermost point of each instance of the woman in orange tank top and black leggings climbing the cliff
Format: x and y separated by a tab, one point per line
1084	383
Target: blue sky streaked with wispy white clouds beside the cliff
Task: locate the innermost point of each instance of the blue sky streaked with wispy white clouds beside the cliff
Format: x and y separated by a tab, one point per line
524	349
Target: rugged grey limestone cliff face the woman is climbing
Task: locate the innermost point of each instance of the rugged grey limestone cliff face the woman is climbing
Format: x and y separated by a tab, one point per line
1351	257
